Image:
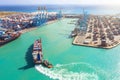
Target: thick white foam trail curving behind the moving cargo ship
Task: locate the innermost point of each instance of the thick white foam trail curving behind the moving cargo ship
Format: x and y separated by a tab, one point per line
64	74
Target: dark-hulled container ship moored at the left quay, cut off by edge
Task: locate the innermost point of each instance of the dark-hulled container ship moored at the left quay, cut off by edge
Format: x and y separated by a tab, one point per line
8	38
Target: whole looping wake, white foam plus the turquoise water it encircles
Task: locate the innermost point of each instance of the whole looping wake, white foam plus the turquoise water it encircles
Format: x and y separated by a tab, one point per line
71	71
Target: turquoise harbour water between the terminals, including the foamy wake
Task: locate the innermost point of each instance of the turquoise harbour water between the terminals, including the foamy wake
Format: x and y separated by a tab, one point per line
70	62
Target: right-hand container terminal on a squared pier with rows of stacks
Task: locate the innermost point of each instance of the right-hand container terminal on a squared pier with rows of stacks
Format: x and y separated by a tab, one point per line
97	31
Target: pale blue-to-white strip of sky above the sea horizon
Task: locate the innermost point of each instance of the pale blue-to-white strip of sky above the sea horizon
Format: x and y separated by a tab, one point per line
78	2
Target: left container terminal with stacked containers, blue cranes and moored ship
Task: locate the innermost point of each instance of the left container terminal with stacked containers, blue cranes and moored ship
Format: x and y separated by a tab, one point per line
18	22
